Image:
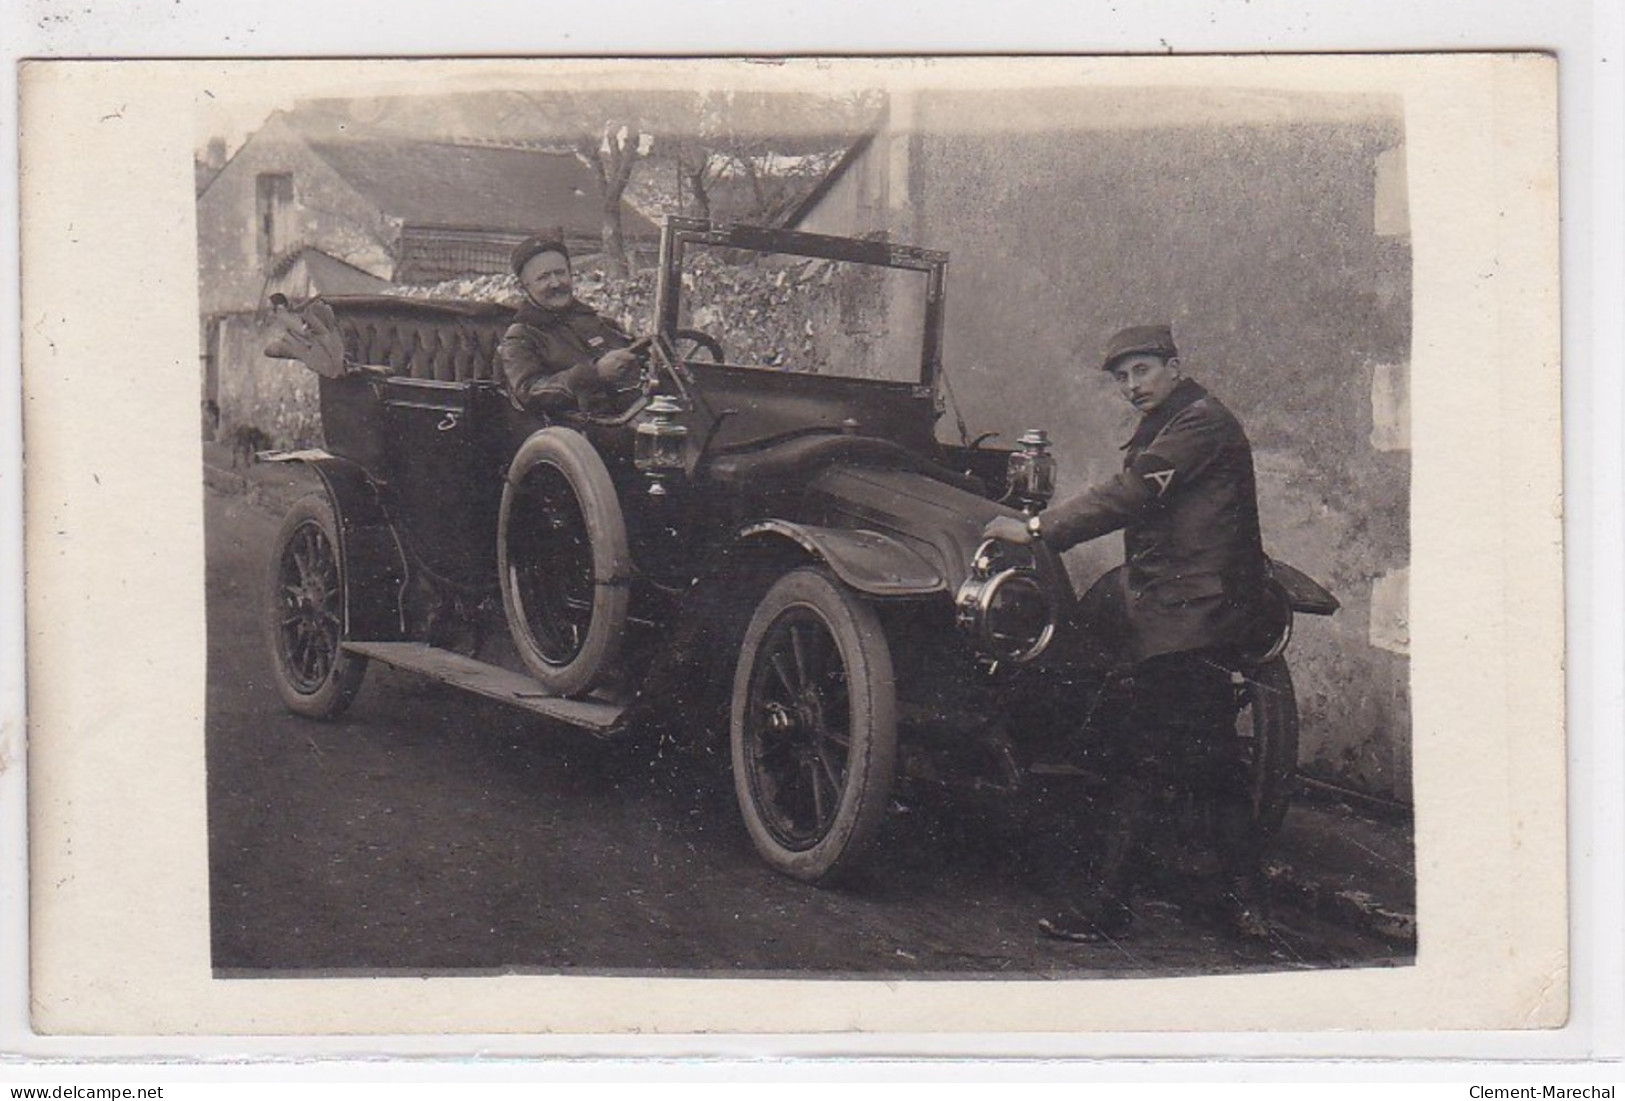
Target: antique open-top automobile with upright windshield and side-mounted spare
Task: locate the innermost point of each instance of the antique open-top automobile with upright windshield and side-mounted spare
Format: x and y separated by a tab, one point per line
765	529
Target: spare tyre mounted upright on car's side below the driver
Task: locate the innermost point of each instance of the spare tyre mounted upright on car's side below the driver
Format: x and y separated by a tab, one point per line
563	561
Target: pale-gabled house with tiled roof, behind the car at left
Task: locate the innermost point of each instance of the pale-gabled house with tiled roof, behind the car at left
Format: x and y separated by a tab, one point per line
308	209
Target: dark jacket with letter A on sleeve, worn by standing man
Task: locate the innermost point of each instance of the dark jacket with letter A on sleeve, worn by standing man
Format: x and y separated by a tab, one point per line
1189	509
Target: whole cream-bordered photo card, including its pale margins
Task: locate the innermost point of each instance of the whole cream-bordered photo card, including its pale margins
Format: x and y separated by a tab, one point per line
805	545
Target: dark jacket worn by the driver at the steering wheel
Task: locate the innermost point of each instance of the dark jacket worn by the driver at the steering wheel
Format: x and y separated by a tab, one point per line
547	358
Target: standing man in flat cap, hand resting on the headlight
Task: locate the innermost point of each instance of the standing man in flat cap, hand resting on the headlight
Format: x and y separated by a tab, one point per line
1195	569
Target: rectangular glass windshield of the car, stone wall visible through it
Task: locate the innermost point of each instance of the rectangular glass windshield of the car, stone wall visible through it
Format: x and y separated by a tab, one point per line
805	314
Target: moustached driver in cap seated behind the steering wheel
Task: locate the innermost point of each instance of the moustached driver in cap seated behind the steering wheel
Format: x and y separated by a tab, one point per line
560	356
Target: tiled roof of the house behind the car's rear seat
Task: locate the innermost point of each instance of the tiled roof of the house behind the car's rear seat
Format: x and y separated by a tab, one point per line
490	188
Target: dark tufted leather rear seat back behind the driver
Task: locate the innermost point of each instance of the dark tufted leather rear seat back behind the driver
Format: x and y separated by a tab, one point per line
417	339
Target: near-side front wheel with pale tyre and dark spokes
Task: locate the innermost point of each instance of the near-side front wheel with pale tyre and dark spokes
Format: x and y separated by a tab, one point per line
813	727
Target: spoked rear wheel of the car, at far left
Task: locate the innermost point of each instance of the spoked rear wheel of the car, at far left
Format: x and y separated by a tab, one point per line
306	615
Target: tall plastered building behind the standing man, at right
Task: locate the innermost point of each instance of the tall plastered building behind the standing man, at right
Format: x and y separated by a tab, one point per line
1272	230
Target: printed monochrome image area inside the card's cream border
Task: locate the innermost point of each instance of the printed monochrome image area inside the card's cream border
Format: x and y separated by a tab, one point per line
877	530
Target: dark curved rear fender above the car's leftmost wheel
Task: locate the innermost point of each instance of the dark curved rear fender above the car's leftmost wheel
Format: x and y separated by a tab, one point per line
368	546
